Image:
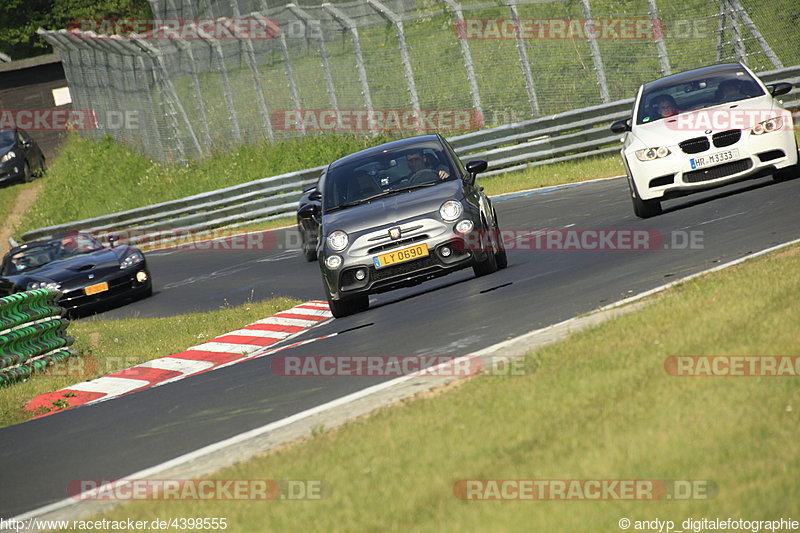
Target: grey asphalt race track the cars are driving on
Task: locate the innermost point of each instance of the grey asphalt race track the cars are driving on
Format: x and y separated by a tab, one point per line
454	315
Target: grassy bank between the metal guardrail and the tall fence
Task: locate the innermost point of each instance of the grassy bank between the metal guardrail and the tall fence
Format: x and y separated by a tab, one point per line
91	178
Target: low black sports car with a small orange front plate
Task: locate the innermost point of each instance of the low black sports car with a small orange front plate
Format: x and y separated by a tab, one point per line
89	274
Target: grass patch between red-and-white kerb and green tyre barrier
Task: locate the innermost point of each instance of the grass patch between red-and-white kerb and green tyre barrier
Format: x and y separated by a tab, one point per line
106	346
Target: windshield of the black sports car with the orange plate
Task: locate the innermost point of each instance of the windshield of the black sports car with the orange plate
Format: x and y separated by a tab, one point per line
34	255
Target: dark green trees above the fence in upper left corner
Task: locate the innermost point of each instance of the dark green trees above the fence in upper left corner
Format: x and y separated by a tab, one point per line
19	20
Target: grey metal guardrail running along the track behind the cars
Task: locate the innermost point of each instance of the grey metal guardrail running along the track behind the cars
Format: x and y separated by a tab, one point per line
562	137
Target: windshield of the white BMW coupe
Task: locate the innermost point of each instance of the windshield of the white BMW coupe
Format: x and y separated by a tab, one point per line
695	90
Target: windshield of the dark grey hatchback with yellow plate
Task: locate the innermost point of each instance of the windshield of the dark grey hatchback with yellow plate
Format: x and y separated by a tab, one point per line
384	173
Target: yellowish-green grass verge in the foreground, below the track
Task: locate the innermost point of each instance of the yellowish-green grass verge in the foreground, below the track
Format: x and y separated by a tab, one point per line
598	406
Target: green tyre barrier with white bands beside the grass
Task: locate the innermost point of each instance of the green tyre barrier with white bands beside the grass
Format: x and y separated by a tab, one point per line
32	334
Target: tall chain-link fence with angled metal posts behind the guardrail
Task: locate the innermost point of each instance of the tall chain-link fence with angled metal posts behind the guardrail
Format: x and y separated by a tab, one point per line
193	85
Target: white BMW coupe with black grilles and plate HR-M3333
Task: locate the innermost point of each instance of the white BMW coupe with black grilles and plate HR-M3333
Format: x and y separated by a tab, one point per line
702	129
